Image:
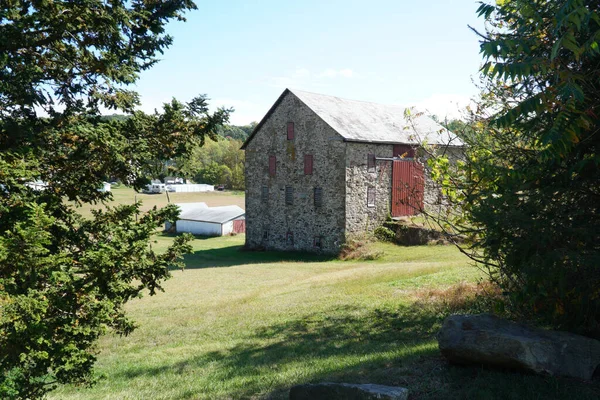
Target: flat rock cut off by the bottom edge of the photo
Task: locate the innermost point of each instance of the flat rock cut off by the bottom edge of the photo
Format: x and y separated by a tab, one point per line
347	391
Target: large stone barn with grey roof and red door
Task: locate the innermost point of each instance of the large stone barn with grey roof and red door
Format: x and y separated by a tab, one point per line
320	167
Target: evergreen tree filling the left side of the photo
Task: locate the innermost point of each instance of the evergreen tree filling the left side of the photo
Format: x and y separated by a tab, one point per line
64	279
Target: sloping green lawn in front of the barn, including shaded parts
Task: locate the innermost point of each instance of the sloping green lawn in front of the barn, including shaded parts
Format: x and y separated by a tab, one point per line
248	325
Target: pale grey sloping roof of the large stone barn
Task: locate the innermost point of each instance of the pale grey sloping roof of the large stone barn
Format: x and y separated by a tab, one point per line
360	121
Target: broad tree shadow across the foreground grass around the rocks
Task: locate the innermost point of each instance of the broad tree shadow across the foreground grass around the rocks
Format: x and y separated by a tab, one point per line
388	347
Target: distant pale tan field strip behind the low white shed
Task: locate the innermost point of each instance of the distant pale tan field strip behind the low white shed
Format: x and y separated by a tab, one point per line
125	195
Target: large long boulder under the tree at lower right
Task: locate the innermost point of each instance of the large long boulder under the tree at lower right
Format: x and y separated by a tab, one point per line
487	340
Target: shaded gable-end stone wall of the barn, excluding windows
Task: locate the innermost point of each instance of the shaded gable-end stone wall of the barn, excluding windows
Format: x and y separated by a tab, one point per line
270	222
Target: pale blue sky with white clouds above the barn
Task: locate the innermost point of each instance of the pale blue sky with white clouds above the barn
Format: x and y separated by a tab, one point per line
244	54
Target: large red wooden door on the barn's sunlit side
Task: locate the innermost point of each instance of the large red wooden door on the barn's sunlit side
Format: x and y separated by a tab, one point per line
407	188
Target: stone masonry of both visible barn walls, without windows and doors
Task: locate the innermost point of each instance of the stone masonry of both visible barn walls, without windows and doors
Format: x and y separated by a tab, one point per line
339	168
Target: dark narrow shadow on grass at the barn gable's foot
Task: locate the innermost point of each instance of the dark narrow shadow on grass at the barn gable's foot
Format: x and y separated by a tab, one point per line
235	255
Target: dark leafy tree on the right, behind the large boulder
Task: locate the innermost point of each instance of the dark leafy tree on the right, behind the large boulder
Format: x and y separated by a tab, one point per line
530	187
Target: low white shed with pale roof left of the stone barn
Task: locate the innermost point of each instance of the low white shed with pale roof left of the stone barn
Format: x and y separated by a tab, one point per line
199	219
